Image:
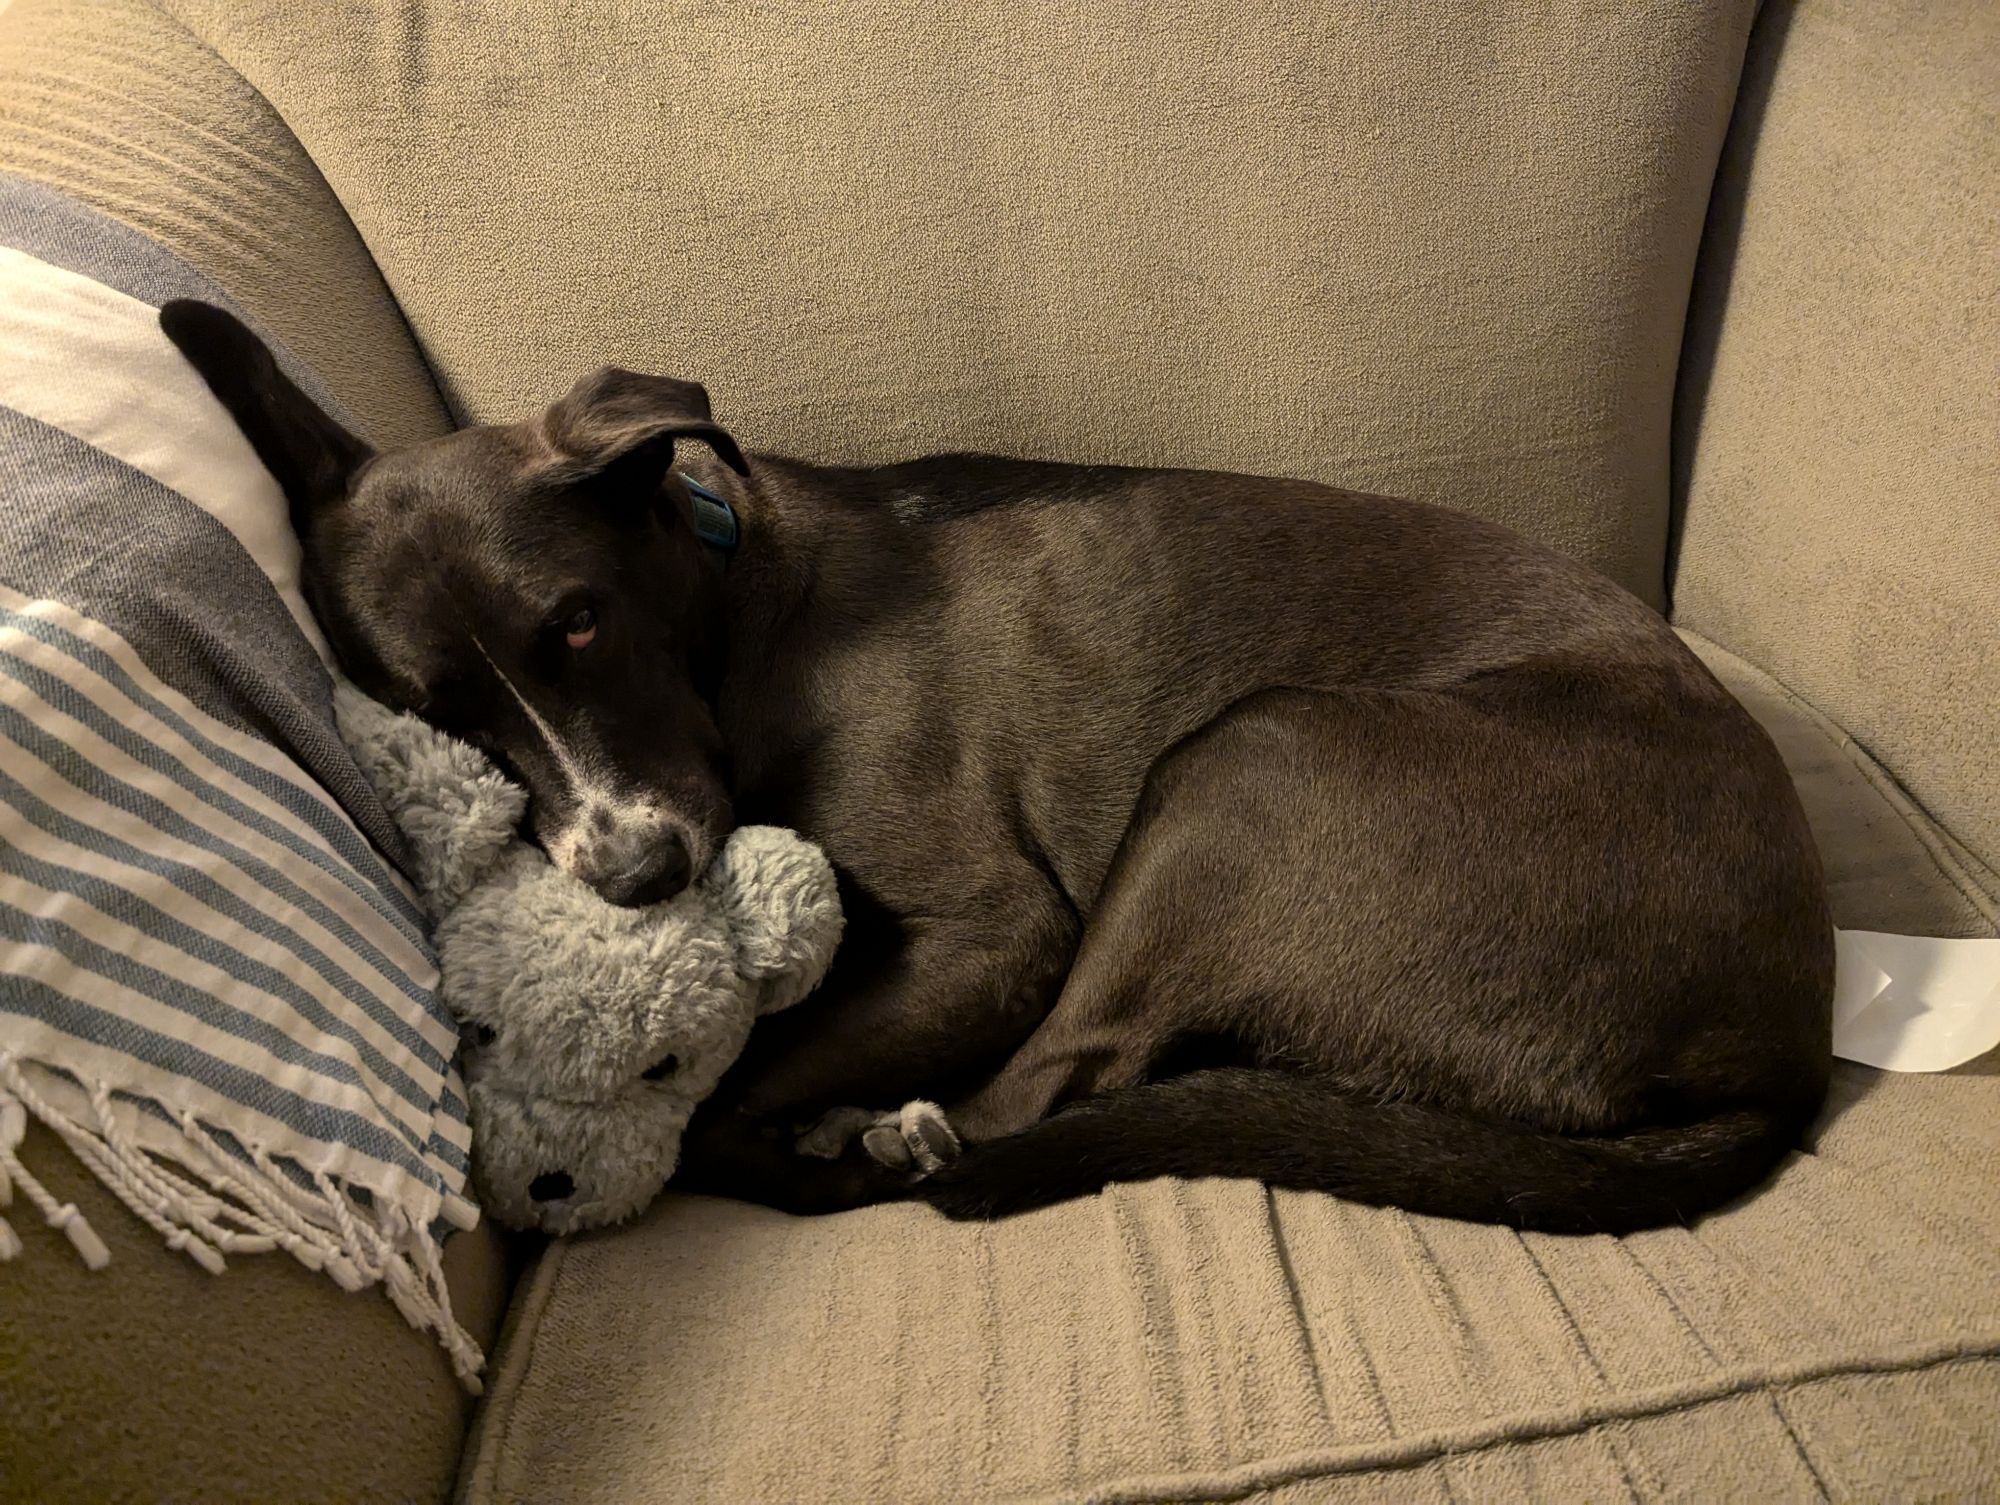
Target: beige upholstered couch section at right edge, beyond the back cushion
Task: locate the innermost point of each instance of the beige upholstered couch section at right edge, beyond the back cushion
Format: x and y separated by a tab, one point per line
1839	409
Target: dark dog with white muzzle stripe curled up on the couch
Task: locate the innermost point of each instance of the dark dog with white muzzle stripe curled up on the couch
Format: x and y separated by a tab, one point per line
1187	824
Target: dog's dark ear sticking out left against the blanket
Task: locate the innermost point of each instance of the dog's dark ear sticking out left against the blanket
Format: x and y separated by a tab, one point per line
311	455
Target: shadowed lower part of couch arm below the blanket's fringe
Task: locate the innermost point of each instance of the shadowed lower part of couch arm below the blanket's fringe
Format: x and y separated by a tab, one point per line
153	1380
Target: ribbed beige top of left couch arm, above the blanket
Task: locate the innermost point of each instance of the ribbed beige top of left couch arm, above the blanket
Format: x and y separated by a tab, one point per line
123	109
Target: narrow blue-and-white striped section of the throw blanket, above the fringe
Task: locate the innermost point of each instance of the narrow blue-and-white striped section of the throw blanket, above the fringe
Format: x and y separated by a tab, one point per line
157	896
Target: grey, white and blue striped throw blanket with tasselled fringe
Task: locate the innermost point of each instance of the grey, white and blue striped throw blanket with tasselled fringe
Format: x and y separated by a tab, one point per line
213	988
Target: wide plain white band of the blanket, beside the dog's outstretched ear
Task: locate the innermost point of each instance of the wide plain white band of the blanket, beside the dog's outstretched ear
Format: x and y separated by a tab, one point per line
93	363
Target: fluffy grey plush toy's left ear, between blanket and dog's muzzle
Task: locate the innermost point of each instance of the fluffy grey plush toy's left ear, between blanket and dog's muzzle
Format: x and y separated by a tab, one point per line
455	810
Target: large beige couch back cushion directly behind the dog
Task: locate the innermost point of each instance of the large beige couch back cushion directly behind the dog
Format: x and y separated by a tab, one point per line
1413	249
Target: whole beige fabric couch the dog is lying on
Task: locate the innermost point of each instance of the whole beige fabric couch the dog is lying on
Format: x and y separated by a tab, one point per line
1701	301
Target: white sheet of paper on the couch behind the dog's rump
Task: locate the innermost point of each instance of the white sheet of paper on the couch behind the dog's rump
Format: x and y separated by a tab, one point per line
1913	1002
